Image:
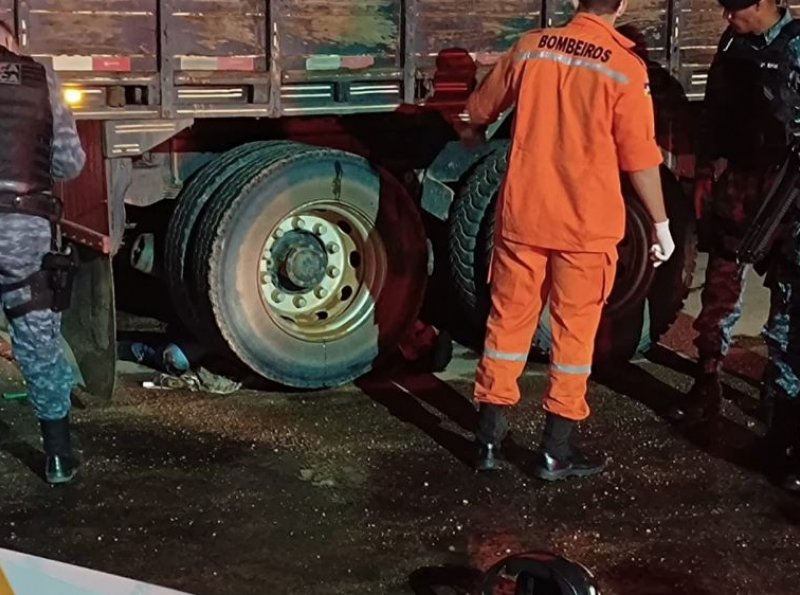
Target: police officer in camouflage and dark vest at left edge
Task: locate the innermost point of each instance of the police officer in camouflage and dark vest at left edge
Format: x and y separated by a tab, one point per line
38	143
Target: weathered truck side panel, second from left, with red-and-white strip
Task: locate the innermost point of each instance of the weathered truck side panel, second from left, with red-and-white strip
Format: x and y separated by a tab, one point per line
218	34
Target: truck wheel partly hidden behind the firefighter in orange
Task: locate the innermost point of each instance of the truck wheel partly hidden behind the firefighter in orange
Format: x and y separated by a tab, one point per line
644	302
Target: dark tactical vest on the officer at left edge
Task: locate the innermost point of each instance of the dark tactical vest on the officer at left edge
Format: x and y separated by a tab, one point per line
26	125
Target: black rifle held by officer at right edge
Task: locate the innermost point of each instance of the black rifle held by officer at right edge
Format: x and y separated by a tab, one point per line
784	192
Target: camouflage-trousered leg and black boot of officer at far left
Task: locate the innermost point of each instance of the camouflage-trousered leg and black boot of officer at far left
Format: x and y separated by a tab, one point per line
36	341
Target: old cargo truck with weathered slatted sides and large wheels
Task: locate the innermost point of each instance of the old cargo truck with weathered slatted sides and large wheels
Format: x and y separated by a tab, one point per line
299	154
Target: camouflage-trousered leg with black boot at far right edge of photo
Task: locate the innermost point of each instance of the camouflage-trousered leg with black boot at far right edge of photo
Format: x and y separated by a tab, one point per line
781	383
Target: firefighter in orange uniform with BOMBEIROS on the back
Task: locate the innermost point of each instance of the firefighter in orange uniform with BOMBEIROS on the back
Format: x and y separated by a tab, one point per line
583	112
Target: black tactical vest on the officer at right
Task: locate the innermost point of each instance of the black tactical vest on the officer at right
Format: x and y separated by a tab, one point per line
757	79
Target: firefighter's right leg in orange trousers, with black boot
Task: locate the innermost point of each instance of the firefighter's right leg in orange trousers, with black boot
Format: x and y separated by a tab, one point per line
581	284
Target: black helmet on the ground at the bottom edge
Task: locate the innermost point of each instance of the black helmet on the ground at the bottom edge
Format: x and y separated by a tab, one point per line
542	573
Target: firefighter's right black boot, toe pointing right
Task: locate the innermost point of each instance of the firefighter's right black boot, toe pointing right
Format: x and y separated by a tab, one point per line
557	458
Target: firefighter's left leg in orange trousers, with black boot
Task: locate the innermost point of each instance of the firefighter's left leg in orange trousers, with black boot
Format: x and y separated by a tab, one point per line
519	287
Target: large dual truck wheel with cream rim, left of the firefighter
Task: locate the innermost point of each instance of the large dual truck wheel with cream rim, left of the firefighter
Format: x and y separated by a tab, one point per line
309	265
